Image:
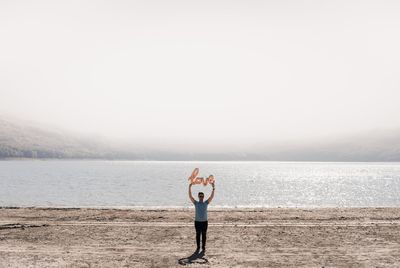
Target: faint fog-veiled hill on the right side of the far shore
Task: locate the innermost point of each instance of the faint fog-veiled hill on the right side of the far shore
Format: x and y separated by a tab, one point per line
372	146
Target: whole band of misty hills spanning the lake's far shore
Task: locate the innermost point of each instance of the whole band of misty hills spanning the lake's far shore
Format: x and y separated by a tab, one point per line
27	140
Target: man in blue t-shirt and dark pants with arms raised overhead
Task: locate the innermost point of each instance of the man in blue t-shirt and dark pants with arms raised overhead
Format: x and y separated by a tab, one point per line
201	218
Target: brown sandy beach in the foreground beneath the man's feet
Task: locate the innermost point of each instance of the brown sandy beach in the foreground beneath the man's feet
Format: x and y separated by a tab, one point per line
331	237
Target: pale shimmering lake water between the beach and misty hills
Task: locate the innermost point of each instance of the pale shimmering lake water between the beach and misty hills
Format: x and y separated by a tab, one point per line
165	184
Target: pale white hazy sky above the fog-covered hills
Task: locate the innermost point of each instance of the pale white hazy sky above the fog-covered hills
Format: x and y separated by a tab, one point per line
202	71
